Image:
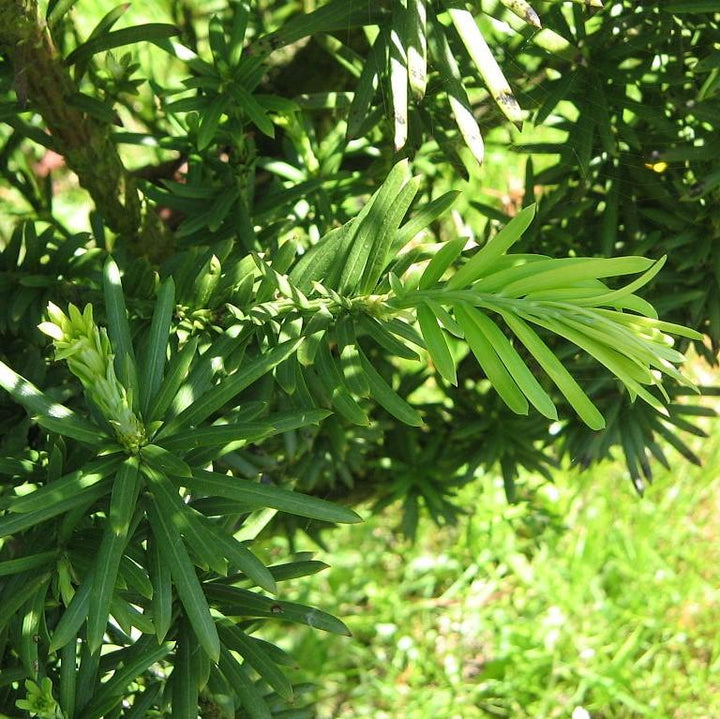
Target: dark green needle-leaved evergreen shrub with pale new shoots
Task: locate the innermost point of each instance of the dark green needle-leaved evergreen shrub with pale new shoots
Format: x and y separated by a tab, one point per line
267	308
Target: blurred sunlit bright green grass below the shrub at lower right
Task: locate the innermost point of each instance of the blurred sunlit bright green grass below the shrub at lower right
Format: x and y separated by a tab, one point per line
583	601
